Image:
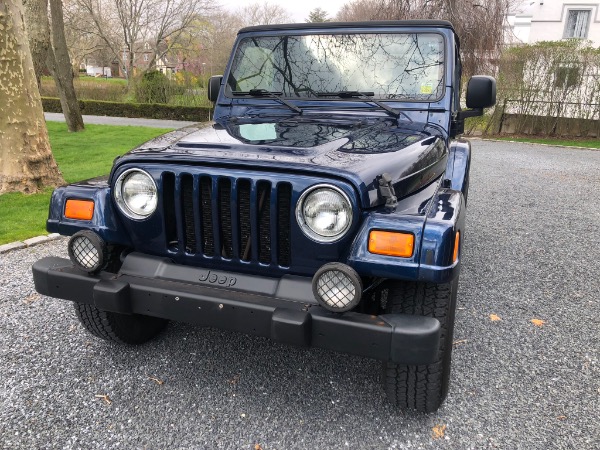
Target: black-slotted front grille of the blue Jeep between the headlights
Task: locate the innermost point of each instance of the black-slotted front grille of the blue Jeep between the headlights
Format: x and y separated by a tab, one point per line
238	219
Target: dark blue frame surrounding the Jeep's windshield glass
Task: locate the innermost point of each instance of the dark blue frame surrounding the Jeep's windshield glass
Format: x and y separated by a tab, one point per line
228	92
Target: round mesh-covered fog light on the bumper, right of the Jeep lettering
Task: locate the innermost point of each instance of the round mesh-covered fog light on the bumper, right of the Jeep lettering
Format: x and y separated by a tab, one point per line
337	287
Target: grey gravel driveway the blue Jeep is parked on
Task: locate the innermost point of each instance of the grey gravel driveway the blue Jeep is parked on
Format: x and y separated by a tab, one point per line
531	253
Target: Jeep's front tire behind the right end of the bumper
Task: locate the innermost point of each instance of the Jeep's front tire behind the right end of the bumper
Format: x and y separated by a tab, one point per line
421	388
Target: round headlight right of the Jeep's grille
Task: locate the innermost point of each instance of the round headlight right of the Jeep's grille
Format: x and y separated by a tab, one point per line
324	213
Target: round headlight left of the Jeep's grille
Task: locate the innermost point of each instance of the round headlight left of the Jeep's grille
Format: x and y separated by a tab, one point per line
136	194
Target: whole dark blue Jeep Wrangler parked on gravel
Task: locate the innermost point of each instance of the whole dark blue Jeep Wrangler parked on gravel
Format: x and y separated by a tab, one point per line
324	206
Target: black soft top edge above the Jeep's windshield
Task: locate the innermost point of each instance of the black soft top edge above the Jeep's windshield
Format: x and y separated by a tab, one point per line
366	24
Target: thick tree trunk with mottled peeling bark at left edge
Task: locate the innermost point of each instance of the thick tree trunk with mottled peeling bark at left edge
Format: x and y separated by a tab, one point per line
26	161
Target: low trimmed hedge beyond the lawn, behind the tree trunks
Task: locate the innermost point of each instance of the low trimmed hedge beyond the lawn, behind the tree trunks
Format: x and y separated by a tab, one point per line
136	110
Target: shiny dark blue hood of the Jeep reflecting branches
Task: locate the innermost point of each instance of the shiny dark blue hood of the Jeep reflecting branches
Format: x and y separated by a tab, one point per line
357	149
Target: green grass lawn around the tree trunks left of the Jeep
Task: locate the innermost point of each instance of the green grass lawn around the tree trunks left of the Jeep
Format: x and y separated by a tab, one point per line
80	156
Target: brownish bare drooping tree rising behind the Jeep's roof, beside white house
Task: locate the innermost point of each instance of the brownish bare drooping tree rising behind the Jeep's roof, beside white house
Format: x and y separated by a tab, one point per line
478	23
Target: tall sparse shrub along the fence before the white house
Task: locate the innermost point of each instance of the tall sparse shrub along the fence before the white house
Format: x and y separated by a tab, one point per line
551	88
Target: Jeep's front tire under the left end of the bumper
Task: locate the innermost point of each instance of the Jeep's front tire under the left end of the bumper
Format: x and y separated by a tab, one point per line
121	328
